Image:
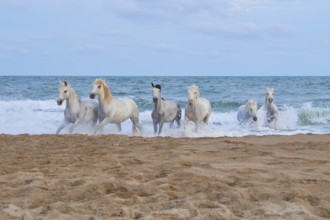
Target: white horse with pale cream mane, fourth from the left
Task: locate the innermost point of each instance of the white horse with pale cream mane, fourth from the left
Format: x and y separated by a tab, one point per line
198	109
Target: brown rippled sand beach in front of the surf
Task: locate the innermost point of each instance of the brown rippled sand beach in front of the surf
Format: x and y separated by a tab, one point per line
120	177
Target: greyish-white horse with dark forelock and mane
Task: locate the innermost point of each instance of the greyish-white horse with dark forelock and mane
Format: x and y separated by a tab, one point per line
164	111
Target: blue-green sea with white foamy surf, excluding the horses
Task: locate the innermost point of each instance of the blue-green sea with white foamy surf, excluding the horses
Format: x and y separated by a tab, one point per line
28	103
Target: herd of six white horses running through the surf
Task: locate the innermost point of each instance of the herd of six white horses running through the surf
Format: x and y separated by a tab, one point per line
109	110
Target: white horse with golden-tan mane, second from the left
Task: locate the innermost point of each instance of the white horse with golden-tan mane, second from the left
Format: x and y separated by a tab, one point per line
113	110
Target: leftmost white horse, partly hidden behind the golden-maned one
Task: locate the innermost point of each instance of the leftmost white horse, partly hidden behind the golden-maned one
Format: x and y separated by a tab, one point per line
76	110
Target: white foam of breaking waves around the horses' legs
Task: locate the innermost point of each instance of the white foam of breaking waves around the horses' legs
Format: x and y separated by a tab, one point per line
44	117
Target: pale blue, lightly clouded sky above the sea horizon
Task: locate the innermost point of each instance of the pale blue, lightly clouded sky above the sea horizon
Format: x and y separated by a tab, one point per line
165	37
